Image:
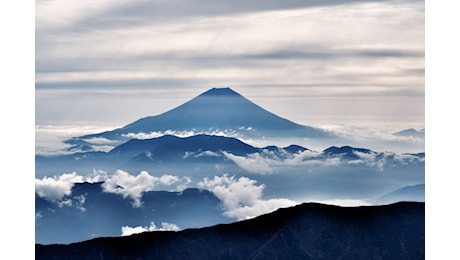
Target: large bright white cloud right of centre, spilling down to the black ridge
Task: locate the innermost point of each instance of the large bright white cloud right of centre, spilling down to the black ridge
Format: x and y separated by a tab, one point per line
242	197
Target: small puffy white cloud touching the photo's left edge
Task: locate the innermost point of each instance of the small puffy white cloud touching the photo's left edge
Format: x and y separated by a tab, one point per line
57	187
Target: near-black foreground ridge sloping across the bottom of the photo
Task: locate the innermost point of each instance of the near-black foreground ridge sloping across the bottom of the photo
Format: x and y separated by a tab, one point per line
306	231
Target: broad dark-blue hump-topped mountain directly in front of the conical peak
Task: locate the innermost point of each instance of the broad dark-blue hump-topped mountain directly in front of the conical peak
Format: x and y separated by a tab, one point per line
138	154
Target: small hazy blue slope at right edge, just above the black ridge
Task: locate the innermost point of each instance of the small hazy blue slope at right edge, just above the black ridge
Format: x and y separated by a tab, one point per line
406	193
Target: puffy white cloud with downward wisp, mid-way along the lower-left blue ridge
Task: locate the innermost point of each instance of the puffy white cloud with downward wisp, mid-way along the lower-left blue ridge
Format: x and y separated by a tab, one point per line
130	186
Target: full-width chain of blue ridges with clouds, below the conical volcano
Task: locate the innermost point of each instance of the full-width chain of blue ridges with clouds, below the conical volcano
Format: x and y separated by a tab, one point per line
154	153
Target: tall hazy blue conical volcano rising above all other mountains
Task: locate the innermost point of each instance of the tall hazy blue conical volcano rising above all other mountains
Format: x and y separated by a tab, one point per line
216	110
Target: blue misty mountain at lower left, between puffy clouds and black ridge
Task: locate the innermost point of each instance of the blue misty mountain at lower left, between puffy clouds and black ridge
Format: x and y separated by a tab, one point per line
89	211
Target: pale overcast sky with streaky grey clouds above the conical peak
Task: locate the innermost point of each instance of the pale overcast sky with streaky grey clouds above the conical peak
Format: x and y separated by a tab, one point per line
314	62
